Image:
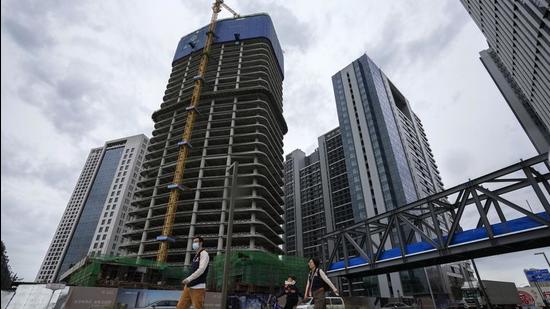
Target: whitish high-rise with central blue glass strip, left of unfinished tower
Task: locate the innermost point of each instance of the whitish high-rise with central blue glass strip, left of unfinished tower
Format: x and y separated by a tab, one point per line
93	222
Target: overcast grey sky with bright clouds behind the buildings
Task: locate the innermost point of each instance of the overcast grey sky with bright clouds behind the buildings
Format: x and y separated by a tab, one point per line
78	73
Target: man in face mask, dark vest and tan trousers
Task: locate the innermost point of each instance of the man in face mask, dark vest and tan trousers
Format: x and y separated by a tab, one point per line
195	284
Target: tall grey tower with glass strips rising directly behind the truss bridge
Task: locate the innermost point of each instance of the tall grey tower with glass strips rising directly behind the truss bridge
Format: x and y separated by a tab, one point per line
389	161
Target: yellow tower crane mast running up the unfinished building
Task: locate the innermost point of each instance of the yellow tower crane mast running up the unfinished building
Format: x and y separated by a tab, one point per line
176	185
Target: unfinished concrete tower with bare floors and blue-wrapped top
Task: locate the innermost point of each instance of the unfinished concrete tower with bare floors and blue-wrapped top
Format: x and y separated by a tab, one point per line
238	118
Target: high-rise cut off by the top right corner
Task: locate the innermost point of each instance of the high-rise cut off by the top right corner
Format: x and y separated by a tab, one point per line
518	59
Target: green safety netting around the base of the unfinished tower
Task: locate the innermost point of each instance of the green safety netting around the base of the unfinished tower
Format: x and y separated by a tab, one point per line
251	270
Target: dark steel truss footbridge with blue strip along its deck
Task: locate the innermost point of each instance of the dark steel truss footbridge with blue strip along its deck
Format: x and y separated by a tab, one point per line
433	230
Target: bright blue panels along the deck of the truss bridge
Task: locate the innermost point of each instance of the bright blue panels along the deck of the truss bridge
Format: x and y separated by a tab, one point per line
511	226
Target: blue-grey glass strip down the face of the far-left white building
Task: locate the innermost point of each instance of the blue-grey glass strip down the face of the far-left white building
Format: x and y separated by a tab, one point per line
91	212
